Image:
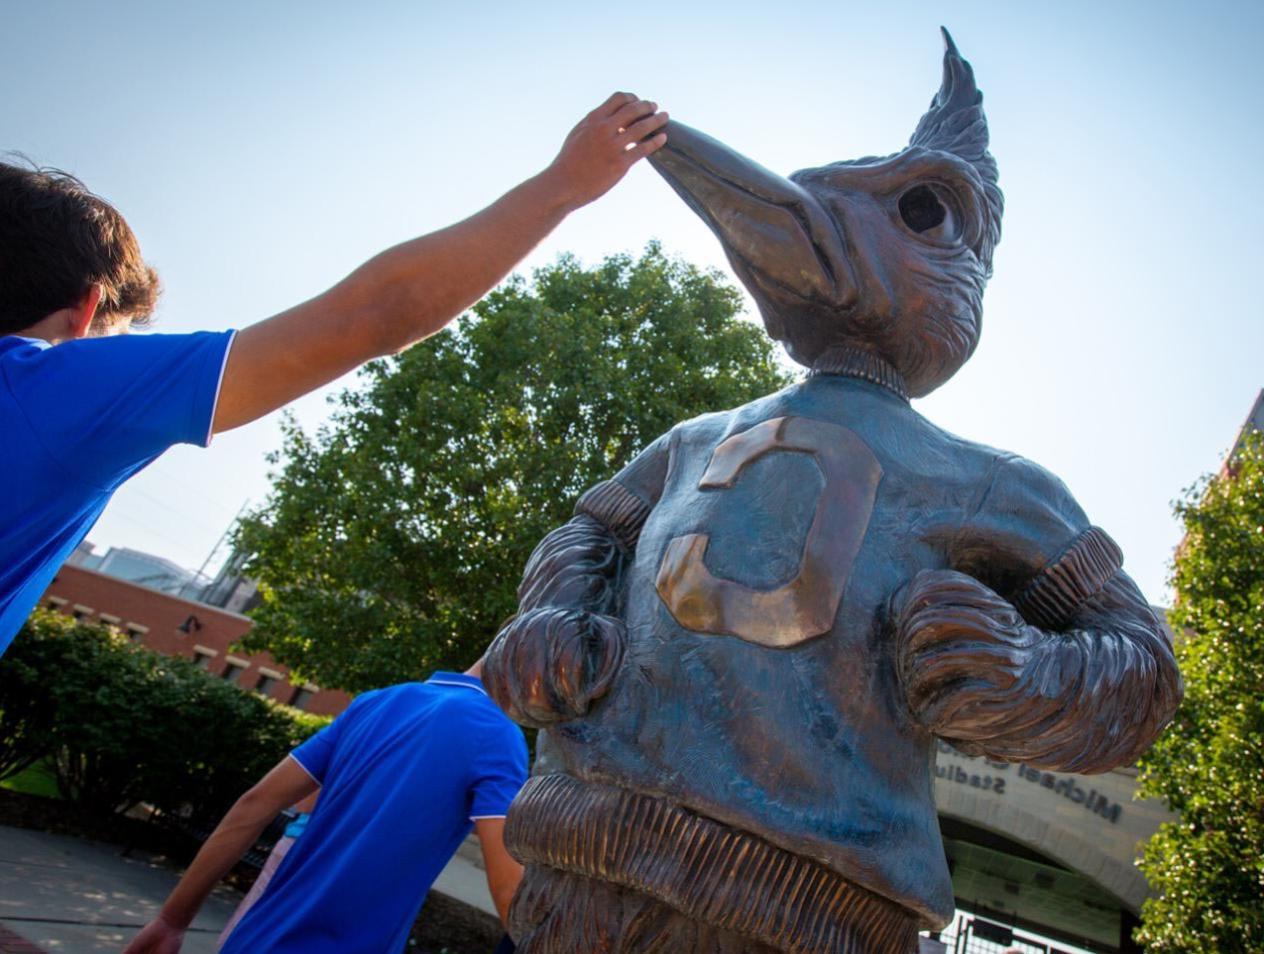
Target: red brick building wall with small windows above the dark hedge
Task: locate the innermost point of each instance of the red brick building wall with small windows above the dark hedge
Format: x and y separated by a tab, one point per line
102	598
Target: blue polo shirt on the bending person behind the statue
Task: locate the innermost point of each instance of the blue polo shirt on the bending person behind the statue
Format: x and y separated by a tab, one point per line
404	774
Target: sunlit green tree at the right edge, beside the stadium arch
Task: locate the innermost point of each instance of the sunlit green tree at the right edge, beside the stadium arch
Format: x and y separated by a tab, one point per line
1209	766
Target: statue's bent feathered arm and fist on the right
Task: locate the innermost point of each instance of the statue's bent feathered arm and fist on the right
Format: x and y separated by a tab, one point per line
1073	673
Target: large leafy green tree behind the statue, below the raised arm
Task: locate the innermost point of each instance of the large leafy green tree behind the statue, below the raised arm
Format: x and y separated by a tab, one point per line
396	535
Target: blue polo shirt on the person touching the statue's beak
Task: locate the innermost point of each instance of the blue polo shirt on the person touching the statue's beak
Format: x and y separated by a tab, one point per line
78	420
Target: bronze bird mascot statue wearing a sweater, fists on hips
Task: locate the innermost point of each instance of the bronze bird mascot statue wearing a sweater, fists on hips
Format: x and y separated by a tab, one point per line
744	646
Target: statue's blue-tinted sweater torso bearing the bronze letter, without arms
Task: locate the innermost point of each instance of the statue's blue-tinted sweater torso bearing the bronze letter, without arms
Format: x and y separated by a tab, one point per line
807	741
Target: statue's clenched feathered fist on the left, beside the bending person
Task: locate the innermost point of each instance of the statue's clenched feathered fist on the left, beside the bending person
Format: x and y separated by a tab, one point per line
549	665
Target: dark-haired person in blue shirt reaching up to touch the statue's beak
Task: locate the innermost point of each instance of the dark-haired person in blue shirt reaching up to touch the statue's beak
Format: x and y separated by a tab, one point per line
83	409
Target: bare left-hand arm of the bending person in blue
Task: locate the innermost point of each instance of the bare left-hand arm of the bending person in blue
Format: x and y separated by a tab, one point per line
240	830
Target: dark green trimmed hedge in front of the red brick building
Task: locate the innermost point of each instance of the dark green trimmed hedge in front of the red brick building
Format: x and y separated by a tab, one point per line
122	725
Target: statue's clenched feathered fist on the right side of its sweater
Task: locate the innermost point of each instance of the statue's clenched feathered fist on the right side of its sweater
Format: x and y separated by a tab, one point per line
964	654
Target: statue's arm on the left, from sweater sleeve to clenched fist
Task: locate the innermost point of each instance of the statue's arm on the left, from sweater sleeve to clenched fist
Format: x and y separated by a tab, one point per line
564	648
